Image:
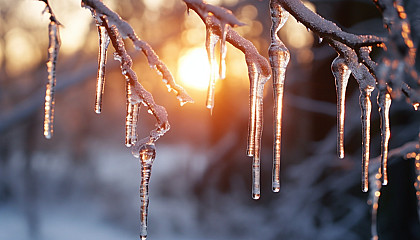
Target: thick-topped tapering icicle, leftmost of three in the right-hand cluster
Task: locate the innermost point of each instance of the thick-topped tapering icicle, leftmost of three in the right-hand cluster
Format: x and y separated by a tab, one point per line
341	74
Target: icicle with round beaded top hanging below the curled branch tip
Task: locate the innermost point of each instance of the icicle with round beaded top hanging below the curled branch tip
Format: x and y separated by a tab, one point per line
147	156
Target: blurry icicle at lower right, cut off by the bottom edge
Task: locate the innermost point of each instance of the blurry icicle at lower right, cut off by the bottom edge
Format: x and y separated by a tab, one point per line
375	193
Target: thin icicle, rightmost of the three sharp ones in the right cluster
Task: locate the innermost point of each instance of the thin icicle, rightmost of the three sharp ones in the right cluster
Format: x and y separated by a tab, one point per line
384	103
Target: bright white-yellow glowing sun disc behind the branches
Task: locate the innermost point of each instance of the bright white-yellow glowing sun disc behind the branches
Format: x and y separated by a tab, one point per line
194	69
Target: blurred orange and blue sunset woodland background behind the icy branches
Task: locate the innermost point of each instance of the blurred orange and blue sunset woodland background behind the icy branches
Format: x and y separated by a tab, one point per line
83	183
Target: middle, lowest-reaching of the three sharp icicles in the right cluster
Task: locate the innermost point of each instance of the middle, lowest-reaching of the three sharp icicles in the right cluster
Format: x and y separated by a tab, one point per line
366	107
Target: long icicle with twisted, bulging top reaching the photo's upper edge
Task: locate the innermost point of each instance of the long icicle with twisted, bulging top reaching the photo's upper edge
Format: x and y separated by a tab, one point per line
279	59
